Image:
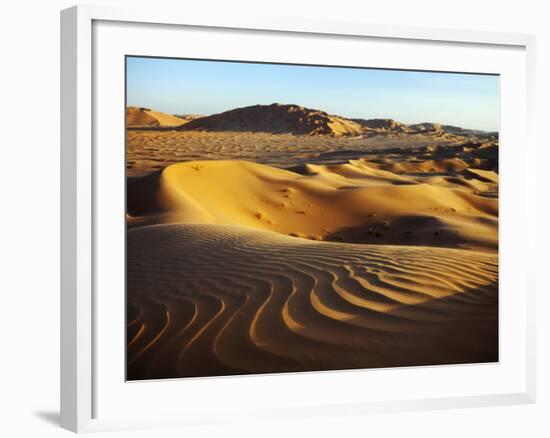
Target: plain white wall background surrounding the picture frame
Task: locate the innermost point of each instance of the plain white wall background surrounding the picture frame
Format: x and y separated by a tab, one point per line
29	215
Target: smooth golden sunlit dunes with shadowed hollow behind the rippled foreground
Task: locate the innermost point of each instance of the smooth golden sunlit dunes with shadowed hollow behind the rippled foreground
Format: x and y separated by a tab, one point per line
357	201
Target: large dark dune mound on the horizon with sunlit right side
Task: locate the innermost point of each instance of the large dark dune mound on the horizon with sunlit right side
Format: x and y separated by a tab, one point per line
276	119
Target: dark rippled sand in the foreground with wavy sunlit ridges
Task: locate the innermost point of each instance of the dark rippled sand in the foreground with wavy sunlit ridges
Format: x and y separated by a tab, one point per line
207	300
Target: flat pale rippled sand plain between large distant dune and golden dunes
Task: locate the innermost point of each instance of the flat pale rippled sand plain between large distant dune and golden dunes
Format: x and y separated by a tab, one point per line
154	150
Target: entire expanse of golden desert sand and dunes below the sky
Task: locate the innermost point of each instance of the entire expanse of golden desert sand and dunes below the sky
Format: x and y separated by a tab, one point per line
283	246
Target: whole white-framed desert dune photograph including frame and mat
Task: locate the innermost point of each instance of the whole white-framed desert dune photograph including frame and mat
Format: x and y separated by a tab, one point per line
275	218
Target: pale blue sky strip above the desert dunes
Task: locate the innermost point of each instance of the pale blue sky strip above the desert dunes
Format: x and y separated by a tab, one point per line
179	86
